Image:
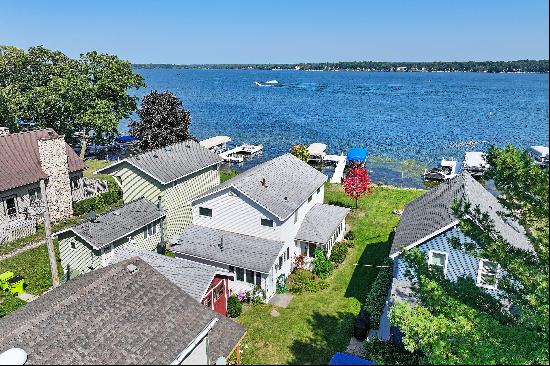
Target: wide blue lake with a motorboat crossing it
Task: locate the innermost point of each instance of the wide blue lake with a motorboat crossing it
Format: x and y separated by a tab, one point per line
414	117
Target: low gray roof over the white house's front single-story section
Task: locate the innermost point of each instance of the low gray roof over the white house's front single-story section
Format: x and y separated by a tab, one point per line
239	250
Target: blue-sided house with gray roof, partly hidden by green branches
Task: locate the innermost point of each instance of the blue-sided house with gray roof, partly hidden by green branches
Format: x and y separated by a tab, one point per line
428	223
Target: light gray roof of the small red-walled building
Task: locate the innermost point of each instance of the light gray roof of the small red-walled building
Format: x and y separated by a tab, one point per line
192	277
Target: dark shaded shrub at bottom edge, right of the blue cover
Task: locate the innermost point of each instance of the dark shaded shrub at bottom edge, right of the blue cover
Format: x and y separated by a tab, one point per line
389	353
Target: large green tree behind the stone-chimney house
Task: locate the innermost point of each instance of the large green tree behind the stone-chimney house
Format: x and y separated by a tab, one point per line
74	97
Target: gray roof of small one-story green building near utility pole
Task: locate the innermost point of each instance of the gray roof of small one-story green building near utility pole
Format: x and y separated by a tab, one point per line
117	223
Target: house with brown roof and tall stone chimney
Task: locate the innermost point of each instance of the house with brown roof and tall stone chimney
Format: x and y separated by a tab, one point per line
26	158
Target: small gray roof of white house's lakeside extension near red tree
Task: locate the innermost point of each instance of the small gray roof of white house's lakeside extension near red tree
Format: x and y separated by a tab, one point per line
320	223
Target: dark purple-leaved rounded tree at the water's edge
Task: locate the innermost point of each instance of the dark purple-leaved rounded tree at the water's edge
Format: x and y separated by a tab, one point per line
162	121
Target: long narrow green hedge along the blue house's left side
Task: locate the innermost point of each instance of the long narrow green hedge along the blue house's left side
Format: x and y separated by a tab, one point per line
376	299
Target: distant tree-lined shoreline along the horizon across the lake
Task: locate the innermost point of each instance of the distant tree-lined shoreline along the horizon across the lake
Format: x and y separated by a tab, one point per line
511	67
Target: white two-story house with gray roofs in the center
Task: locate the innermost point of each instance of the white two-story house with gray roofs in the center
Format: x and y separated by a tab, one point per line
255	224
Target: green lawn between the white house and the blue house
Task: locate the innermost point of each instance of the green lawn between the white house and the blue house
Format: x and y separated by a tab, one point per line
315	325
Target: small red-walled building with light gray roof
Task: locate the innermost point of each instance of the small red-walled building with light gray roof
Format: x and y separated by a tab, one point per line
207	284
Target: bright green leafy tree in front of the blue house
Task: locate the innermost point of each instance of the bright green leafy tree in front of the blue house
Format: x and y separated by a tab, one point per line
458	322
